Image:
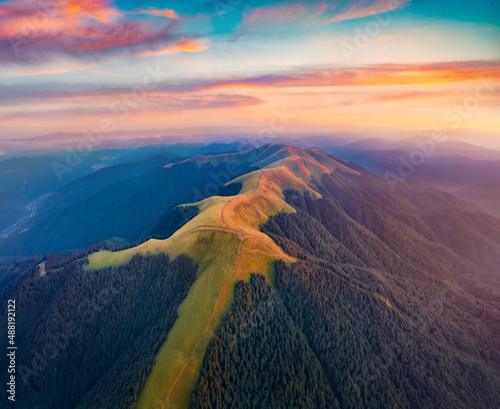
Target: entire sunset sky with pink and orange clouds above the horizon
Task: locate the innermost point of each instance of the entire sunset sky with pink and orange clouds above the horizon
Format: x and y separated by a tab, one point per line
367	66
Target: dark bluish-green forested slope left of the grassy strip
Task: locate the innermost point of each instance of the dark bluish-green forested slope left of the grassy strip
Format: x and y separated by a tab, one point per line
89	338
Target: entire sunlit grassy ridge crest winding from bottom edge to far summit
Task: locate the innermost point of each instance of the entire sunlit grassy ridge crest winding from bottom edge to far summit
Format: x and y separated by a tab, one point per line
225	240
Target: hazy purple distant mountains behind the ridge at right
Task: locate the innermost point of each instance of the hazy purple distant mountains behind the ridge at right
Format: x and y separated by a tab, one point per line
453	166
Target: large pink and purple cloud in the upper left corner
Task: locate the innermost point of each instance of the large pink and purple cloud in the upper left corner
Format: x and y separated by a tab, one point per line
37	31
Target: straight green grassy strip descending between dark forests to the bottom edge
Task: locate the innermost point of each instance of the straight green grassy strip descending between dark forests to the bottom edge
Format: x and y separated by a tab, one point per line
180	358
